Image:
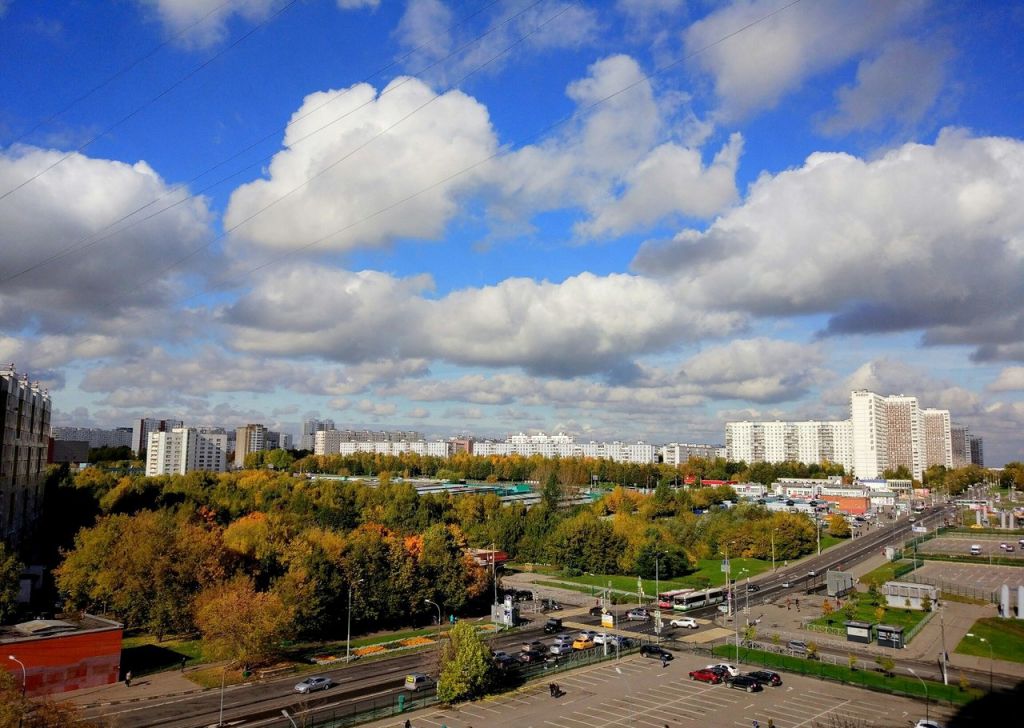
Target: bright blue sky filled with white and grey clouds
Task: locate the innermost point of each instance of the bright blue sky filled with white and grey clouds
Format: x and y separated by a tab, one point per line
632	220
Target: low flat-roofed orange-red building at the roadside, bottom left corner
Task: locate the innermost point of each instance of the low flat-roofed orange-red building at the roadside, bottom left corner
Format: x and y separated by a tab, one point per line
63	655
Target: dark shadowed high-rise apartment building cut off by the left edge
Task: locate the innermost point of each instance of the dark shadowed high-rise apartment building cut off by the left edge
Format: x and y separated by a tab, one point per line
25	434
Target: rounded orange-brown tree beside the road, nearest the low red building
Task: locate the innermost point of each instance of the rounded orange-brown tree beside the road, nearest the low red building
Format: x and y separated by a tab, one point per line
240	624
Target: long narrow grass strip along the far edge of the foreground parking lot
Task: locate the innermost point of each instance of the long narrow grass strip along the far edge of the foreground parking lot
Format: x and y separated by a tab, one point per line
867	676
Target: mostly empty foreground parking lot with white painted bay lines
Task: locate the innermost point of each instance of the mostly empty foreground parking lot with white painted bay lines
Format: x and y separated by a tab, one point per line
637	692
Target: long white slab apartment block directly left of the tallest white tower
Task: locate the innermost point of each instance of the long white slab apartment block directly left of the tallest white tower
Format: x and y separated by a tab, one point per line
810	442
